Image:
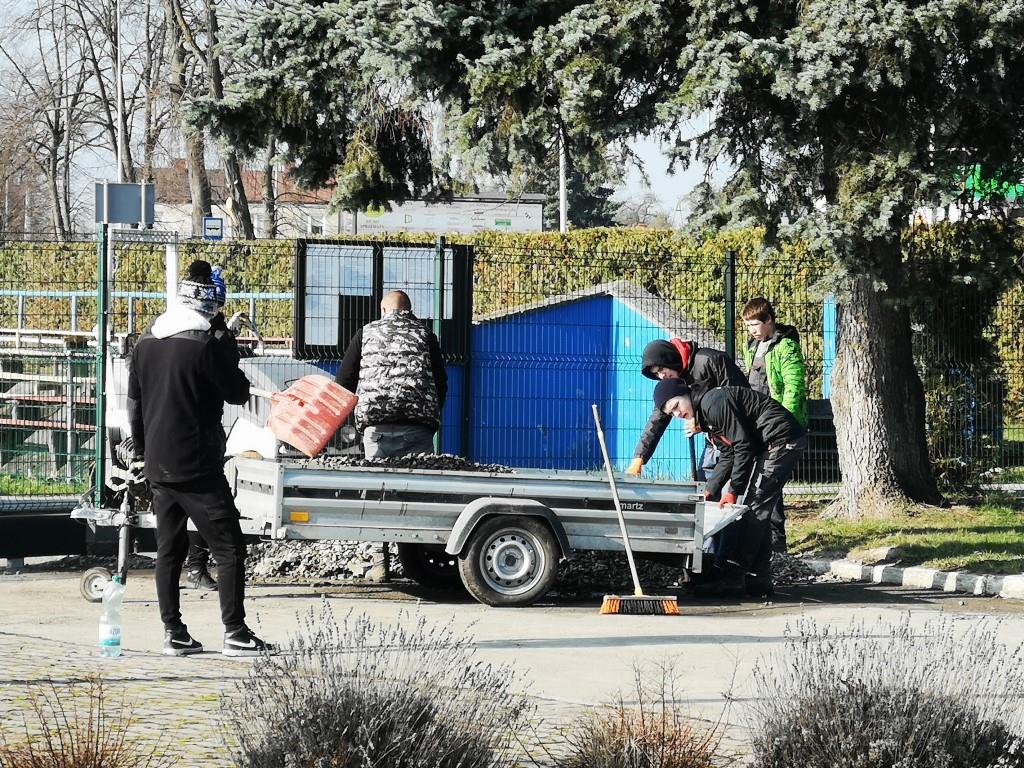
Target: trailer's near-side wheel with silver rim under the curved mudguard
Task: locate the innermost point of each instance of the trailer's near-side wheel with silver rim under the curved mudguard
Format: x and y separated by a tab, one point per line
510	562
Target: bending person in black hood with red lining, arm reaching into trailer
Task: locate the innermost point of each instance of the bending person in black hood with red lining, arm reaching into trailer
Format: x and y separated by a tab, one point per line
701	370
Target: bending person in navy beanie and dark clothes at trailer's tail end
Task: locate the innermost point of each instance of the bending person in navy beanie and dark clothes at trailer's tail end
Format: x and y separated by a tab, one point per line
761	444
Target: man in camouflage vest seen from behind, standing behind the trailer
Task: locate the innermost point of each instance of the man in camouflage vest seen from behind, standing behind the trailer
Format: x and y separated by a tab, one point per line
395	366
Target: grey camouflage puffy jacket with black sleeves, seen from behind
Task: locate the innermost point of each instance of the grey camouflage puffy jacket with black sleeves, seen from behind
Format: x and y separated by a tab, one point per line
395	365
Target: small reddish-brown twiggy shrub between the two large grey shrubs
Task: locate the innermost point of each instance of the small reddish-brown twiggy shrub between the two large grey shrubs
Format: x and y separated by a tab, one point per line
655	734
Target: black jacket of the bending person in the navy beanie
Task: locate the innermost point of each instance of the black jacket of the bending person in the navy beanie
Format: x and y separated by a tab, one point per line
744	424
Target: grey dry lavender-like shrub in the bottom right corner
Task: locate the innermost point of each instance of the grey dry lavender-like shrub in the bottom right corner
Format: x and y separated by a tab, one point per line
947	696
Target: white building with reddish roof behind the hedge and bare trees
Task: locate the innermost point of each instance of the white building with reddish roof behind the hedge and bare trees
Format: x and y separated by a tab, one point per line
303	214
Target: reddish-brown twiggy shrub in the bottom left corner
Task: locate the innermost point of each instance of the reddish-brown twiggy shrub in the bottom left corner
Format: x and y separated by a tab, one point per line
76	727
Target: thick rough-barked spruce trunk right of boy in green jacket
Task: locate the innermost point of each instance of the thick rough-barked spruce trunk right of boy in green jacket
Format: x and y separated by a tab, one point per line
878	398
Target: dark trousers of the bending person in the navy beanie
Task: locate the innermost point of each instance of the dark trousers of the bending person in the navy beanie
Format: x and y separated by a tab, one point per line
764	496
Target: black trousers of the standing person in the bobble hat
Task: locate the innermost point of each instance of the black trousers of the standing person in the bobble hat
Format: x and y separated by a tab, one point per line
209	504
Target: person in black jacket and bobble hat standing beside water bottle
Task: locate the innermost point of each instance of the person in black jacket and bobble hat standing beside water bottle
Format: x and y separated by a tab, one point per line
185	368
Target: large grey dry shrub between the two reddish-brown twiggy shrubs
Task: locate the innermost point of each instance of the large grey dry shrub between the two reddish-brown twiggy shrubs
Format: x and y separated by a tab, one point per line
359	695
